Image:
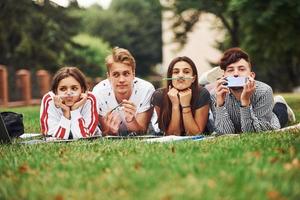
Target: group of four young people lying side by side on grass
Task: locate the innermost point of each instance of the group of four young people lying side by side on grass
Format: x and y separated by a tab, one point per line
123	104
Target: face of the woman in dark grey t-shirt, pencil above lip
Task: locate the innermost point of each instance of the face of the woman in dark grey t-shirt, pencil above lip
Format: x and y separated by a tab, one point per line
182	70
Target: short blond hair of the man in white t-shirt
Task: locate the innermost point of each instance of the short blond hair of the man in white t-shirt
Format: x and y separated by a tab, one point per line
120	55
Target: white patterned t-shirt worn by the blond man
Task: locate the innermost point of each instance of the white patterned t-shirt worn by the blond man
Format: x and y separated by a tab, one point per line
141	96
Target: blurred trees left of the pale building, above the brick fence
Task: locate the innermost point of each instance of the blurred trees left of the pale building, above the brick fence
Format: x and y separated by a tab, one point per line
40	34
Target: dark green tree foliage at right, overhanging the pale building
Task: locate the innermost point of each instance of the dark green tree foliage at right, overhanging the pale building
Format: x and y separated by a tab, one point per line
267	30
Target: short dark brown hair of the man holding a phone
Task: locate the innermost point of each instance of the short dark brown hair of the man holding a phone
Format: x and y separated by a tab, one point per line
233	55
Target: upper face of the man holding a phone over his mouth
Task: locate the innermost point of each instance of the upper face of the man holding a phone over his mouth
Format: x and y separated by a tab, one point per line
239	68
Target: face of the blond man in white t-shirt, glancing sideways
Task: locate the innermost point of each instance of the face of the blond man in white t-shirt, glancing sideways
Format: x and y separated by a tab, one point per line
121	77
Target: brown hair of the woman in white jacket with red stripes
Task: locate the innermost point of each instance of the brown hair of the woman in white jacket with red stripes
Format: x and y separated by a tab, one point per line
66	72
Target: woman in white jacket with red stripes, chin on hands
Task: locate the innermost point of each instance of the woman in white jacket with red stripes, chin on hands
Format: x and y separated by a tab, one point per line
69	110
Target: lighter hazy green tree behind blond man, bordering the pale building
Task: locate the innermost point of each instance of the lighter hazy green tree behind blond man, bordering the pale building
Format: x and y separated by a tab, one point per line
131	24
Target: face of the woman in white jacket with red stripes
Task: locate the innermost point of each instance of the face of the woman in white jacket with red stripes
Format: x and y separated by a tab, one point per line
69	90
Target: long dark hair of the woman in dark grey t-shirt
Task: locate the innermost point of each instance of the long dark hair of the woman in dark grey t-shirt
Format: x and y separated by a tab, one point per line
166	109
